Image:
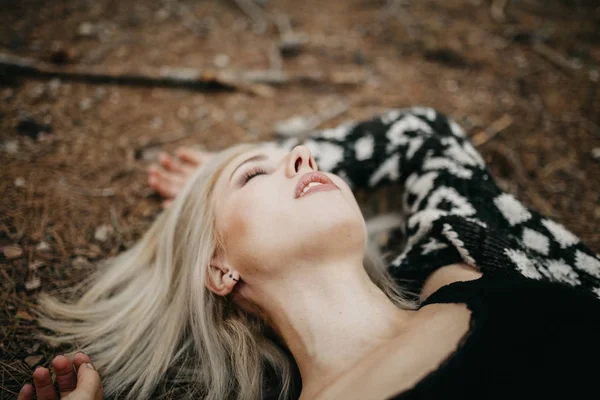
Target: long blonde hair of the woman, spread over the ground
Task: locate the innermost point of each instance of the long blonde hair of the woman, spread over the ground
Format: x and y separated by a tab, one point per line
147	319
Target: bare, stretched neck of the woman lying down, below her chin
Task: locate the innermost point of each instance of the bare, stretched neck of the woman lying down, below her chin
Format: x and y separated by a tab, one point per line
330	317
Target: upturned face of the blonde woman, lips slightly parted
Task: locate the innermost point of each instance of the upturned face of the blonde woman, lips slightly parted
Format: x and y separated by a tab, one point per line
268	225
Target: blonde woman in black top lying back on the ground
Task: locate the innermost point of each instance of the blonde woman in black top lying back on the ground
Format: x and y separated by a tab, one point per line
254	281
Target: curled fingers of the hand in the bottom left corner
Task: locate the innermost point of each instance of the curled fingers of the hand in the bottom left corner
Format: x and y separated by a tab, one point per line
83	386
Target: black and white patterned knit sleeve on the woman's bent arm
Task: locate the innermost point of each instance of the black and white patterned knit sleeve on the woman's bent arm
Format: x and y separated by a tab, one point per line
454	211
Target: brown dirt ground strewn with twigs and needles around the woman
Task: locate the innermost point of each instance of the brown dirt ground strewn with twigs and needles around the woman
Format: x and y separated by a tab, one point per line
74	152
